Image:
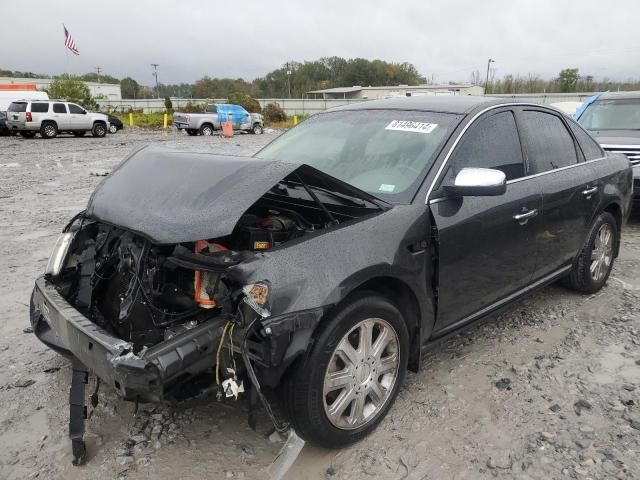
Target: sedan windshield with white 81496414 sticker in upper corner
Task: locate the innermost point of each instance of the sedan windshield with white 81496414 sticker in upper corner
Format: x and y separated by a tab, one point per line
383	152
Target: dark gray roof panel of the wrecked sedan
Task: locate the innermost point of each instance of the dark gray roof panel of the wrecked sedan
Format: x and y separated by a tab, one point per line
447	104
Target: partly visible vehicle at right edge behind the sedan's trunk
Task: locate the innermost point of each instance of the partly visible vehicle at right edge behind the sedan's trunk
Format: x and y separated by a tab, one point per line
614	120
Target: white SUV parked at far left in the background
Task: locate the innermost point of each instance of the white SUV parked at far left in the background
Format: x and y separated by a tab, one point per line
50	117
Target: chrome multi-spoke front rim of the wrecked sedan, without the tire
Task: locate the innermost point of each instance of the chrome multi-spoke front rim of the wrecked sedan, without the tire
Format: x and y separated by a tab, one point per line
361	374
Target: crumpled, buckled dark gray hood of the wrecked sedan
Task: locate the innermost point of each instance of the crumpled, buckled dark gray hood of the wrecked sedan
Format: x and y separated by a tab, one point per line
173	197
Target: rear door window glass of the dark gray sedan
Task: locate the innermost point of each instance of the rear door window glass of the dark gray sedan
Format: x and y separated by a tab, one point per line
549	143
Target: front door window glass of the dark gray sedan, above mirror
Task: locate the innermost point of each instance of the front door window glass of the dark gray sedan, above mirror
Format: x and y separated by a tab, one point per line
492	143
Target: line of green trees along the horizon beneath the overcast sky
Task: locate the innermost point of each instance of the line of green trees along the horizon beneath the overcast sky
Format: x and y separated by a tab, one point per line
294	79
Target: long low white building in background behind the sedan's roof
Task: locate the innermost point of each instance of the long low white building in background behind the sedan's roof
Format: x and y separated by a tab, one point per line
374	93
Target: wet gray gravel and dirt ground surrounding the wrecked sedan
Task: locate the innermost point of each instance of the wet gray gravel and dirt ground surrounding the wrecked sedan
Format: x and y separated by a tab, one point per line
549	389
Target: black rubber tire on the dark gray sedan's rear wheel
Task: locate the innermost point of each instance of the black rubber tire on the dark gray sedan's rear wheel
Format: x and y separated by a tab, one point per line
582	278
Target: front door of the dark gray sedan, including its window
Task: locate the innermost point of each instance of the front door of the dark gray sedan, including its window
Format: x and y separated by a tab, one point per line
487	244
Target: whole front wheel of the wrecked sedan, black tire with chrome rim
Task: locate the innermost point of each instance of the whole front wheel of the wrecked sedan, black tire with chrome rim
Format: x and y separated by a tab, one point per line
308	397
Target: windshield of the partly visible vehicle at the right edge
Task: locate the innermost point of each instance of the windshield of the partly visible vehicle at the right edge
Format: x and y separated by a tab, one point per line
612	115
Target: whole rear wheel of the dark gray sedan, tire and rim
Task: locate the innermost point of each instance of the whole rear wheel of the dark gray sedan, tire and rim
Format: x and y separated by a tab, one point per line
595	260
